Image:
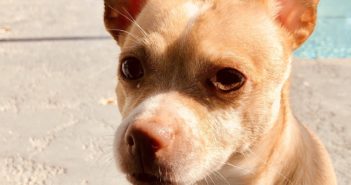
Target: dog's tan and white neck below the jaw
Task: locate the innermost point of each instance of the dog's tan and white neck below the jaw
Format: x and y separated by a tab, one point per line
277	158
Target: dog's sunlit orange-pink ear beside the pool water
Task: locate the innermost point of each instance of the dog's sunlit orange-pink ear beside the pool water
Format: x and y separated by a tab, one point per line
298	17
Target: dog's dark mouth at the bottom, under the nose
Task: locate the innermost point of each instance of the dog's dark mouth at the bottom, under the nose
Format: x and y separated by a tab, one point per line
147	179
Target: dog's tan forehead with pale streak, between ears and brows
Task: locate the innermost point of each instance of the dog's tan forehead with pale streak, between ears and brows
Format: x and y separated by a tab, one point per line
241	29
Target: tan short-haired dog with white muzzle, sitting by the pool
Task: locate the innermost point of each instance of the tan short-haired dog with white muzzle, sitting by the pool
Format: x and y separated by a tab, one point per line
203	92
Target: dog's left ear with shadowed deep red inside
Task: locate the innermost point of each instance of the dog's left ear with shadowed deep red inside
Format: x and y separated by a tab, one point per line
120	15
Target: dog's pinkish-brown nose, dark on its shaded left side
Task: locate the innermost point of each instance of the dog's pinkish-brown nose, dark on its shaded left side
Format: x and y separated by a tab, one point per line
145	139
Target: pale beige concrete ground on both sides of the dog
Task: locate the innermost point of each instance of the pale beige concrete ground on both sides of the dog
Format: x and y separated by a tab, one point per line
57	77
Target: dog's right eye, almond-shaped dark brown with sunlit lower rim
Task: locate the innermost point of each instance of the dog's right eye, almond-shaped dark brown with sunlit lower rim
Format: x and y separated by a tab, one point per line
227	80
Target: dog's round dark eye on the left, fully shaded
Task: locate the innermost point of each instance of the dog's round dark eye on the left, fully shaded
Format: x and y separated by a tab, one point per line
132	69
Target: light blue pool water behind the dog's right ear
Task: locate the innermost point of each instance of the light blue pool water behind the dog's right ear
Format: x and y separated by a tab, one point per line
332	37
